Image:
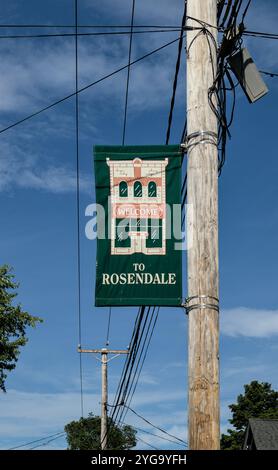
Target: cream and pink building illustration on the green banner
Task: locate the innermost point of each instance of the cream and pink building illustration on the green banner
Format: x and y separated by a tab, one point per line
138	206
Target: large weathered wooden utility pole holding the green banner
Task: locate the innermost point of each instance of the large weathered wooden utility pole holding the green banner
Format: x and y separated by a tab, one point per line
202	181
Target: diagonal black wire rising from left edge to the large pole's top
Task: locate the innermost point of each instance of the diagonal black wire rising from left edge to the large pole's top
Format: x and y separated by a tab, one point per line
65	98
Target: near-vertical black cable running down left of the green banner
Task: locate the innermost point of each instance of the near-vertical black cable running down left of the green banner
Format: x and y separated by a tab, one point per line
78	210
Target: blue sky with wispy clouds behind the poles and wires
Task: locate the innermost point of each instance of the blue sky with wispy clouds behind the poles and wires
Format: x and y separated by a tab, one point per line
38	217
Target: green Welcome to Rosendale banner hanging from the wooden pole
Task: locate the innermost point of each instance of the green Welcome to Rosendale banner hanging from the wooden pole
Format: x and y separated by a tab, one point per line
137	260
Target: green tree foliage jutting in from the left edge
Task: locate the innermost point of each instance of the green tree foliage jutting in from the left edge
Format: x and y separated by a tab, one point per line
13	324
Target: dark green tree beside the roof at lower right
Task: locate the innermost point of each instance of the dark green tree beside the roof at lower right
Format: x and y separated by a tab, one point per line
258	401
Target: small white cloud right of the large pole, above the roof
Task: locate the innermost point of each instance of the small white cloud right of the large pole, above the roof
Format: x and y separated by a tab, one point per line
249	322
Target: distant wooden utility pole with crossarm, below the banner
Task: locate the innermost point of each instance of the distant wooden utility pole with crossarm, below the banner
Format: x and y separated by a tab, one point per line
104	390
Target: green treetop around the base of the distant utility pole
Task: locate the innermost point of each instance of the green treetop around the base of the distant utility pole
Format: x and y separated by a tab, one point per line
85	435
